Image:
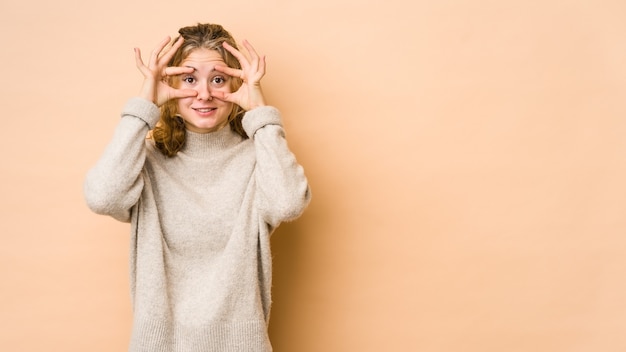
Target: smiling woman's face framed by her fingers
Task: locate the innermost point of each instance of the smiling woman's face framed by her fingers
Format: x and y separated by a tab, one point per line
203	113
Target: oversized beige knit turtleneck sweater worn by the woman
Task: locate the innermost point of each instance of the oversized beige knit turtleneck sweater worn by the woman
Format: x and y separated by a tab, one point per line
200	227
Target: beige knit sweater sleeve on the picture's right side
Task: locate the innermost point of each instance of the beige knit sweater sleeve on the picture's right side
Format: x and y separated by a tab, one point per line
282	188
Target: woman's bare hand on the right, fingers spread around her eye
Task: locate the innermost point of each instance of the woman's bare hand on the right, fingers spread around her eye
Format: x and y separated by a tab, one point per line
249	95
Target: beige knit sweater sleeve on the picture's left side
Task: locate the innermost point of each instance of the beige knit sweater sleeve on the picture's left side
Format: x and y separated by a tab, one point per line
113	185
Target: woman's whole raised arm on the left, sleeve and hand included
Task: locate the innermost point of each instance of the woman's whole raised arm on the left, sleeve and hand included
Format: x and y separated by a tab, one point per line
115	183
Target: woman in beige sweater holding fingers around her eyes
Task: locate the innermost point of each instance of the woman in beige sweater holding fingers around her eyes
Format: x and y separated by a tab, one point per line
203	193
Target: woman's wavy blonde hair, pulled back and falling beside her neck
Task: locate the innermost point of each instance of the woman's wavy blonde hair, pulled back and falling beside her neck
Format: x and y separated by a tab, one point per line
169	133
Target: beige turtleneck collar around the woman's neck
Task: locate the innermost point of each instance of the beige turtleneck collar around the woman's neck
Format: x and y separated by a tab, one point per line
203	144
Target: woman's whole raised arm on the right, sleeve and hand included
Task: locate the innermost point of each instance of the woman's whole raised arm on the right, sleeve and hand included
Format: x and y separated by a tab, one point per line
283	190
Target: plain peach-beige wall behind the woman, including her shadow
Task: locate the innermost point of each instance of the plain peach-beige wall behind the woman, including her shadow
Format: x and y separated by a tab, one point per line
467	160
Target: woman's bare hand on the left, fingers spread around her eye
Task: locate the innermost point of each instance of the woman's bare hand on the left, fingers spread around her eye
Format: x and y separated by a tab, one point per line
156	74
